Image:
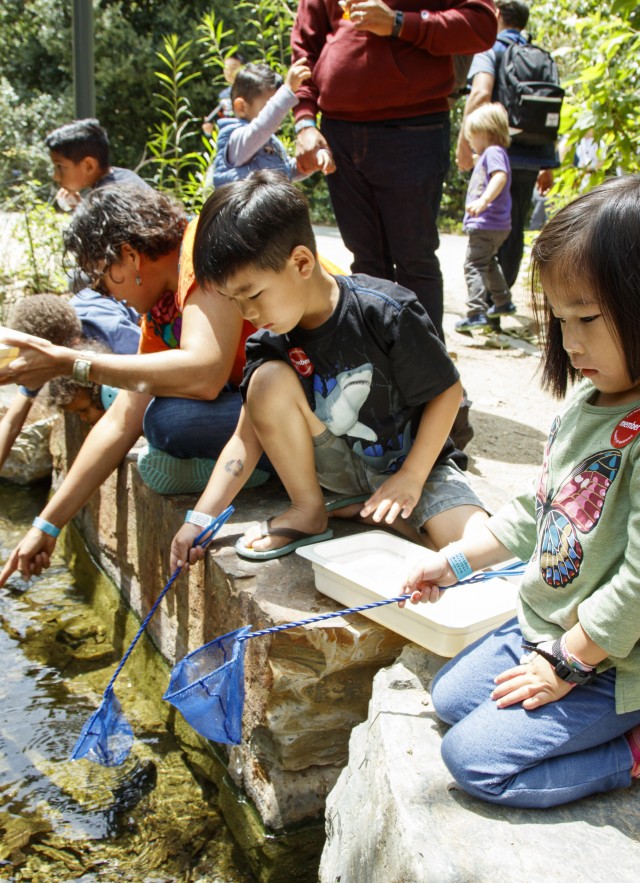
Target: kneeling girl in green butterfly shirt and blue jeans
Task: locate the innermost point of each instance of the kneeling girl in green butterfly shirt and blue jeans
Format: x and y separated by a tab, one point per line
547	709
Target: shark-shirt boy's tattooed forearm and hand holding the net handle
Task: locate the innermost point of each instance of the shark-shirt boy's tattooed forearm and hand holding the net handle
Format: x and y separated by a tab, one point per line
233	467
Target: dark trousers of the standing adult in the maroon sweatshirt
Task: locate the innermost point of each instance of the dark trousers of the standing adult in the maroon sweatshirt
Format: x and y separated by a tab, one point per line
386	194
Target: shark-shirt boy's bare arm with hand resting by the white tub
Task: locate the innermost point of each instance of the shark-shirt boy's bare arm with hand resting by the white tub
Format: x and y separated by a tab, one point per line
400	493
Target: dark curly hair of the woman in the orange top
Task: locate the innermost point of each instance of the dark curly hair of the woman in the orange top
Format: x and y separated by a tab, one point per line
110	217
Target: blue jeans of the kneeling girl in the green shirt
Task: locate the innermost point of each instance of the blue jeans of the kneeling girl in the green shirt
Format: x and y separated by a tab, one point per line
558	753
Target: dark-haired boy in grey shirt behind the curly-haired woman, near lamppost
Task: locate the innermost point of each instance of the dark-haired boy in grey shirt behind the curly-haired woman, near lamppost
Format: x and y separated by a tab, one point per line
79	152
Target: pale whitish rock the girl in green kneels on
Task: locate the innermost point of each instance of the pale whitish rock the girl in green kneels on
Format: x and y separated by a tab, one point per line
395	815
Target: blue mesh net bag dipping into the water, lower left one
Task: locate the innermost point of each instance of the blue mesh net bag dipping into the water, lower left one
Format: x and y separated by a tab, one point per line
106	737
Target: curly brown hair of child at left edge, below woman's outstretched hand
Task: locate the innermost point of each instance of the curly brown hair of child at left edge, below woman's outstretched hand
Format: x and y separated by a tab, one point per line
46	315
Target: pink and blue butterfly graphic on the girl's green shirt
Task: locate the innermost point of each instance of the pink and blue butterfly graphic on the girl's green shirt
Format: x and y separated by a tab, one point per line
575	507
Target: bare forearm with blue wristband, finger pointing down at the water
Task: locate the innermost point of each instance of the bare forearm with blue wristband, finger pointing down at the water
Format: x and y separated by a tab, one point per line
103	450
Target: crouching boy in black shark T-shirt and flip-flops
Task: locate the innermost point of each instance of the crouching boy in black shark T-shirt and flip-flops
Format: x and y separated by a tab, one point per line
347	385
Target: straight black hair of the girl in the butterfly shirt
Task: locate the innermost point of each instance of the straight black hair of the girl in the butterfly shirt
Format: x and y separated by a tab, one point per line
595	239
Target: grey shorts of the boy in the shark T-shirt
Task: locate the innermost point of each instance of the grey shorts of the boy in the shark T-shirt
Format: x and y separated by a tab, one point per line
341	471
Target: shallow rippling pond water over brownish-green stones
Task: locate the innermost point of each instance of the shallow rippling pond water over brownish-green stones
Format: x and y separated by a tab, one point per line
151	820
